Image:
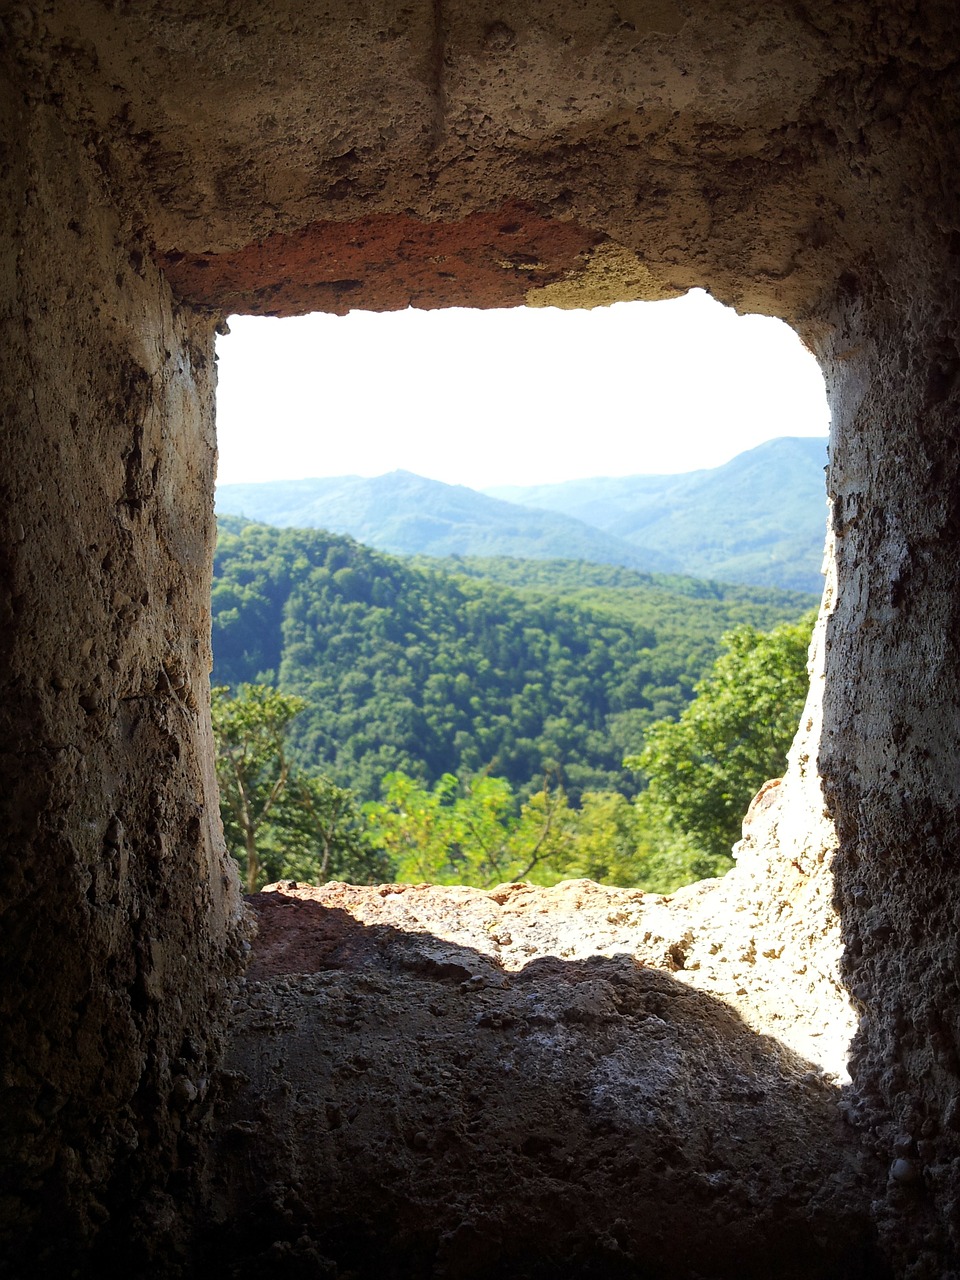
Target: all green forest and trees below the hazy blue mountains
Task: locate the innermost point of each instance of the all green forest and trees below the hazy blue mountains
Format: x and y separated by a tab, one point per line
469	683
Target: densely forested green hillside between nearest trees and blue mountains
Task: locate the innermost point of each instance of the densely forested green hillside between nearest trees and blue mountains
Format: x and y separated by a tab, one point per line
499	668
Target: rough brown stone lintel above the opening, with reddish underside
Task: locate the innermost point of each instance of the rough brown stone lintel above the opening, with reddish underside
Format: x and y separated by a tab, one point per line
705	147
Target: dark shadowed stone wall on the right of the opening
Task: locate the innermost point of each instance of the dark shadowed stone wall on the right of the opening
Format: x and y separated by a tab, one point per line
892	739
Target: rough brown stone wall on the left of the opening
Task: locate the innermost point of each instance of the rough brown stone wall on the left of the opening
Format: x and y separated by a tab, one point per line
120	906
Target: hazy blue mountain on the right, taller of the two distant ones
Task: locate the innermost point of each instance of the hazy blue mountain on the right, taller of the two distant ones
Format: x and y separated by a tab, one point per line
758	519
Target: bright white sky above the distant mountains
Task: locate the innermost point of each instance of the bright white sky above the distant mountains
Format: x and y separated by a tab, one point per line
510	397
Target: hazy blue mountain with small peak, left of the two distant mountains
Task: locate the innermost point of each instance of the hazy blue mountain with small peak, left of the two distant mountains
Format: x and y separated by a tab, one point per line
406	514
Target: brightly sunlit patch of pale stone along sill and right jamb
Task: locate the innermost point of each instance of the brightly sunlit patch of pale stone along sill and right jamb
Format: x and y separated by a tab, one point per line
706	947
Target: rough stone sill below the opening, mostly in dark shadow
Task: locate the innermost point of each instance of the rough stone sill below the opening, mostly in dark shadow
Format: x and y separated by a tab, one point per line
441	1082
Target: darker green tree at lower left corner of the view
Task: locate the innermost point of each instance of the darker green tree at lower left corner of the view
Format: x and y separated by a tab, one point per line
278	822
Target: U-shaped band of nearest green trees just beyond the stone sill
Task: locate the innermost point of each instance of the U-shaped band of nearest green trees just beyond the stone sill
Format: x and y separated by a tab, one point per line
702	770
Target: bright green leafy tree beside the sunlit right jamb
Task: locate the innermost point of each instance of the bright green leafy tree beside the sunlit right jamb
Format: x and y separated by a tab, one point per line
705	769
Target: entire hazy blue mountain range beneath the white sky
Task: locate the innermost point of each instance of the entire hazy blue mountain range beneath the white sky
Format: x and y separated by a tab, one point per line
760	519
